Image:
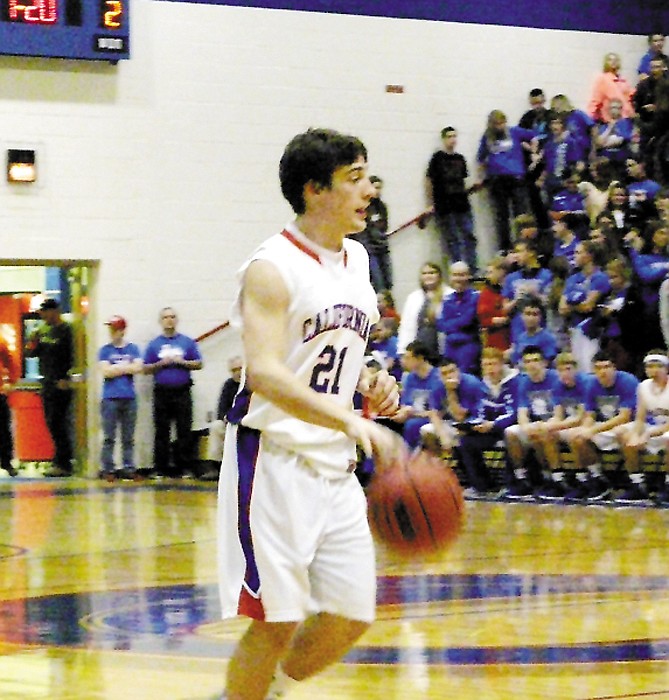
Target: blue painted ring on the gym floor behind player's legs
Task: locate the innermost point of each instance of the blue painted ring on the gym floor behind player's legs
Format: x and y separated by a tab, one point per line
167	620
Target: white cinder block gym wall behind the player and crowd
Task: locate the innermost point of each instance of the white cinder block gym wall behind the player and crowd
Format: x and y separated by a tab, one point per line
164	168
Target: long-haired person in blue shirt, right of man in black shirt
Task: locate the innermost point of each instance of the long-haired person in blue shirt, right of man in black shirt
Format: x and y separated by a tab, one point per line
502	166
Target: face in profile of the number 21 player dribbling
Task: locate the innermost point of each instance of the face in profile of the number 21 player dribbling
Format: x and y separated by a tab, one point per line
344	204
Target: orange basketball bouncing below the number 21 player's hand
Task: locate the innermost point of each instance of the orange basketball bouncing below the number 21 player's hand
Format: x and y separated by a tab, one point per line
416	506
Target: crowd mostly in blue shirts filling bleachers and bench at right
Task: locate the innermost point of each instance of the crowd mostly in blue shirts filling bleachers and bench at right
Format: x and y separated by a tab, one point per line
556	350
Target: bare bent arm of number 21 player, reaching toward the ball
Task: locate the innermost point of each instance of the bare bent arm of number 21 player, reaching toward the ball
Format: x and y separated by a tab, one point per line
265	301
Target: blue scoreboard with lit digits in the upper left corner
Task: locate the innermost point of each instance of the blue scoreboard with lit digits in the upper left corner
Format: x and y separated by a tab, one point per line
93	30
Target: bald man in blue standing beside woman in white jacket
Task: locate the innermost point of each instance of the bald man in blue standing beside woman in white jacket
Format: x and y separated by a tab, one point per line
459	320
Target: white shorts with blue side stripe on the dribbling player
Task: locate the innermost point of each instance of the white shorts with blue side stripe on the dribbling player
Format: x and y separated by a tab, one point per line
311	548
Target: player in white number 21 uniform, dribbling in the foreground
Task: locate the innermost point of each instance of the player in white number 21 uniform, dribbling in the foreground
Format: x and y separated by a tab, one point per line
295	551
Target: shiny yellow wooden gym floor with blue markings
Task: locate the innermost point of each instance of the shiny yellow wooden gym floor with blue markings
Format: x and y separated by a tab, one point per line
108	592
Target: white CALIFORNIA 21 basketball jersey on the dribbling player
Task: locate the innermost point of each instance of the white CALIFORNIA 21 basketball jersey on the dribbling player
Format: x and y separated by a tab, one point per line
332	307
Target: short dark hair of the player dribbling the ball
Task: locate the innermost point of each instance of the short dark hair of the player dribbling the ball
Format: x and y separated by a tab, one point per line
313	156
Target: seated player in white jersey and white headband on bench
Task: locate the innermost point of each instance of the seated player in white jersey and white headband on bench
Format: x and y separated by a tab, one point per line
650	430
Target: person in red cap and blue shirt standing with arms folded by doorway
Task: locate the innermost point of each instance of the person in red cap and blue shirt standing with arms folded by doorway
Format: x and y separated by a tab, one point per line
119	362
